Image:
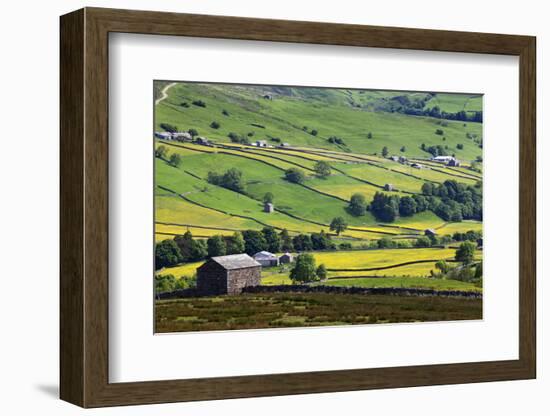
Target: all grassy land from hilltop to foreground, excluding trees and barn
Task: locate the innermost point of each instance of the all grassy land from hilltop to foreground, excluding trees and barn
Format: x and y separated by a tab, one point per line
347	129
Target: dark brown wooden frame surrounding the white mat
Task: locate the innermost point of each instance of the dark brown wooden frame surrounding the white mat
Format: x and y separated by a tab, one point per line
84	207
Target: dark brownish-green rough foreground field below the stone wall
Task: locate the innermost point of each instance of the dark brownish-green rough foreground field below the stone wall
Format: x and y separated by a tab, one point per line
276	310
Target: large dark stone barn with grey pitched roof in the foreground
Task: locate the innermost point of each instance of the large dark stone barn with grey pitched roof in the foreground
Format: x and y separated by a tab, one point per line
228	274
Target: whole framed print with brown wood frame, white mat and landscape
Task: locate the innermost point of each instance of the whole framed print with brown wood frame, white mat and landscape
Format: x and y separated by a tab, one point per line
258	207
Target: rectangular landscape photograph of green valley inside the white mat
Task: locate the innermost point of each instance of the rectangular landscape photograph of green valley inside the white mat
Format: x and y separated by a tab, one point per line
280	206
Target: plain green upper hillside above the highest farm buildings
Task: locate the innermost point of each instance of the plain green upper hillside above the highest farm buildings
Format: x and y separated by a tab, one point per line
292	114
